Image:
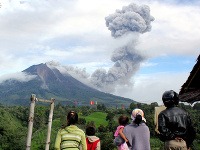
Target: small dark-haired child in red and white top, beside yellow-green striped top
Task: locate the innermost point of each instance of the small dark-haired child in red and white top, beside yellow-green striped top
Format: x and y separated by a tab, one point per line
93	142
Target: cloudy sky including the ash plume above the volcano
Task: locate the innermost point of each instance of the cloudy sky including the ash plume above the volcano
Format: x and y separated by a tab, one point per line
131	48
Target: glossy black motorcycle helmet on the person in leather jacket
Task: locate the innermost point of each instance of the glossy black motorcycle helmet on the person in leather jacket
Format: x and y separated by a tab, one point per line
170	98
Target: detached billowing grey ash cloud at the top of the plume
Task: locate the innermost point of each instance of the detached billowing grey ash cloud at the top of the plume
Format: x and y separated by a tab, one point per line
131	18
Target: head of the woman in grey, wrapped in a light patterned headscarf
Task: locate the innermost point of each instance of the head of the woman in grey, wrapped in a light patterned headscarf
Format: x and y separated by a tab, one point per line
137	116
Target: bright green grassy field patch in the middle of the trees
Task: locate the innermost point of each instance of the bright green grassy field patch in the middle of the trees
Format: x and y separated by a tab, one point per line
99	118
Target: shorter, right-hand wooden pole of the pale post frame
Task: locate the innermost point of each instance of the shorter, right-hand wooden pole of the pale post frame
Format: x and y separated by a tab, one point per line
49	124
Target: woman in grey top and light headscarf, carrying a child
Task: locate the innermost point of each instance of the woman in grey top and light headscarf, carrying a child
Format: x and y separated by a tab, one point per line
137	132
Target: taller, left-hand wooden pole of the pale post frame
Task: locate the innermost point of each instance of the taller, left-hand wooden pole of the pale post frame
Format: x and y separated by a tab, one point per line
30	120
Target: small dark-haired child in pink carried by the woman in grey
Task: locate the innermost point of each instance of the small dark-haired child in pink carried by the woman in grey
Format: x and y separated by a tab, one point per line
122	145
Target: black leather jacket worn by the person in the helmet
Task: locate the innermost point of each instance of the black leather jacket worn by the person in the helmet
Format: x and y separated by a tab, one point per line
175	122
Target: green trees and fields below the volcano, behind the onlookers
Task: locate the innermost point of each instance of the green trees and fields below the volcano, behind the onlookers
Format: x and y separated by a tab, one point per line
14	123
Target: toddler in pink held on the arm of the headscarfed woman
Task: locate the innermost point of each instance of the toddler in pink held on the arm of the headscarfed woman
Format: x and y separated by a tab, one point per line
123	121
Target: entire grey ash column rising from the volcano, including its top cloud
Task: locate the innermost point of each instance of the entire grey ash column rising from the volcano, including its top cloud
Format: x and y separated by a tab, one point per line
131	20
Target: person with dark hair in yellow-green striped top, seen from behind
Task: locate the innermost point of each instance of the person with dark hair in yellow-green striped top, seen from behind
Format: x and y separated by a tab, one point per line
71	137
